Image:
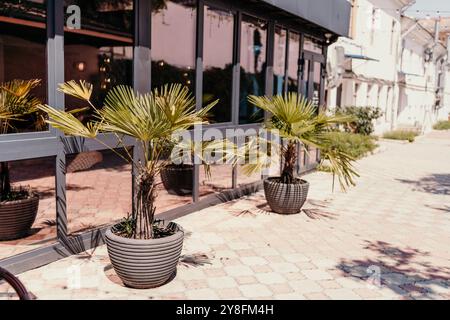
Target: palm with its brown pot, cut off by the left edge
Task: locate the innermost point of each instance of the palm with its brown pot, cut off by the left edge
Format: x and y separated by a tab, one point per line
18	206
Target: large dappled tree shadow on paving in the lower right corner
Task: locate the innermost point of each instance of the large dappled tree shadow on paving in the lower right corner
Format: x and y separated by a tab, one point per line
402	270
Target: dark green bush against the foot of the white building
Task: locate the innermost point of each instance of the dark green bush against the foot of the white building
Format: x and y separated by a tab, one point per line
363	118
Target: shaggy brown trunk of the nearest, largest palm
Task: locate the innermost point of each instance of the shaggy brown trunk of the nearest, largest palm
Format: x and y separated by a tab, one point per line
144	212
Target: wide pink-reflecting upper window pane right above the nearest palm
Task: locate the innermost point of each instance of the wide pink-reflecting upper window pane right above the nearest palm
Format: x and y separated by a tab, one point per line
173	43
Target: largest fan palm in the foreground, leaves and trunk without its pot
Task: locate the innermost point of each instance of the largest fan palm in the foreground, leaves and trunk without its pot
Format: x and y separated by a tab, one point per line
151	118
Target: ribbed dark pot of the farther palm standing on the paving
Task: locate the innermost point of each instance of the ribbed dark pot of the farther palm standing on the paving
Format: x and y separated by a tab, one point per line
285	198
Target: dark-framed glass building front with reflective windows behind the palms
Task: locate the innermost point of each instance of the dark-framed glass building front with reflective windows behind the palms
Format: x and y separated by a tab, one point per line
223	50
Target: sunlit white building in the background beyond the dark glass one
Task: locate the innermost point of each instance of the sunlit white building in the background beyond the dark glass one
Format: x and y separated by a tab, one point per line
390	61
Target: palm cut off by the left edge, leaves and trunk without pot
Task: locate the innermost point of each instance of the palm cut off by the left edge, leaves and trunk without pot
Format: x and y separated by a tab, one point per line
16	102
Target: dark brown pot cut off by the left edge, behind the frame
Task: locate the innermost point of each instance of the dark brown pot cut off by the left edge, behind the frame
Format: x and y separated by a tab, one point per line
17	217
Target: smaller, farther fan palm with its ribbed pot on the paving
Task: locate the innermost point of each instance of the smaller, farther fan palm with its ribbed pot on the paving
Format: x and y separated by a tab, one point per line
295	120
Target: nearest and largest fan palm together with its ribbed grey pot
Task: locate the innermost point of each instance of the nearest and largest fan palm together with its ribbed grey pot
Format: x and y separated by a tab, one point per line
144	252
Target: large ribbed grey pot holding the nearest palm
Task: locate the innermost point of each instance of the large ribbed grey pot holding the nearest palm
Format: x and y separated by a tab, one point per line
144	264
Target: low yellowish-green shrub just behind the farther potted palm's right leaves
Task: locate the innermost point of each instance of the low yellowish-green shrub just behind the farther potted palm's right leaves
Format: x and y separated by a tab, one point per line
355	145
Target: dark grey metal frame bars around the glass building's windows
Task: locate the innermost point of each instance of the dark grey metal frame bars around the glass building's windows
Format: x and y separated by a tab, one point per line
54	144
